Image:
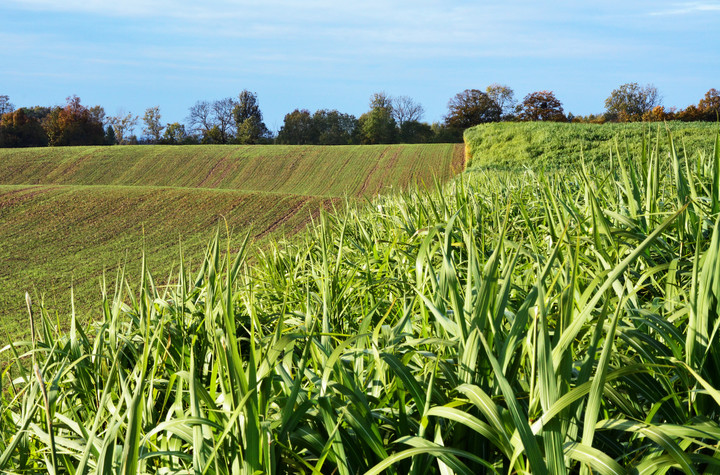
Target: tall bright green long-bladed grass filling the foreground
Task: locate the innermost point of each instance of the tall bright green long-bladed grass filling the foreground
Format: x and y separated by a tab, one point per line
508	322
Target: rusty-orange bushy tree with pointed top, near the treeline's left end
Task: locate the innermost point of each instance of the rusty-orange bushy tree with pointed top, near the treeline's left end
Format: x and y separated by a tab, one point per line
73	125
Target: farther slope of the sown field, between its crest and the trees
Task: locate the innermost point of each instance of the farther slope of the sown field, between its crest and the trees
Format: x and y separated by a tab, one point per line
327	171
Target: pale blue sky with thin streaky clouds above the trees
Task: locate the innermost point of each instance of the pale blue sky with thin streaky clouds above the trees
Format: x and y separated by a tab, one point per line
129	55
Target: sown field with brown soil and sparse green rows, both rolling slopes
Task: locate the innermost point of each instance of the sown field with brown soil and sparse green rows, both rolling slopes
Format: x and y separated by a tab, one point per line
69	215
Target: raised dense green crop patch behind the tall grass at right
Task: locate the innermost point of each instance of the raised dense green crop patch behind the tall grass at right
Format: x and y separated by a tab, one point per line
557	145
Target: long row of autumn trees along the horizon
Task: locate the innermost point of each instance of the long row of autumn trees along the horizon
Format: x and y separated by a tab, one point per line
389	119
